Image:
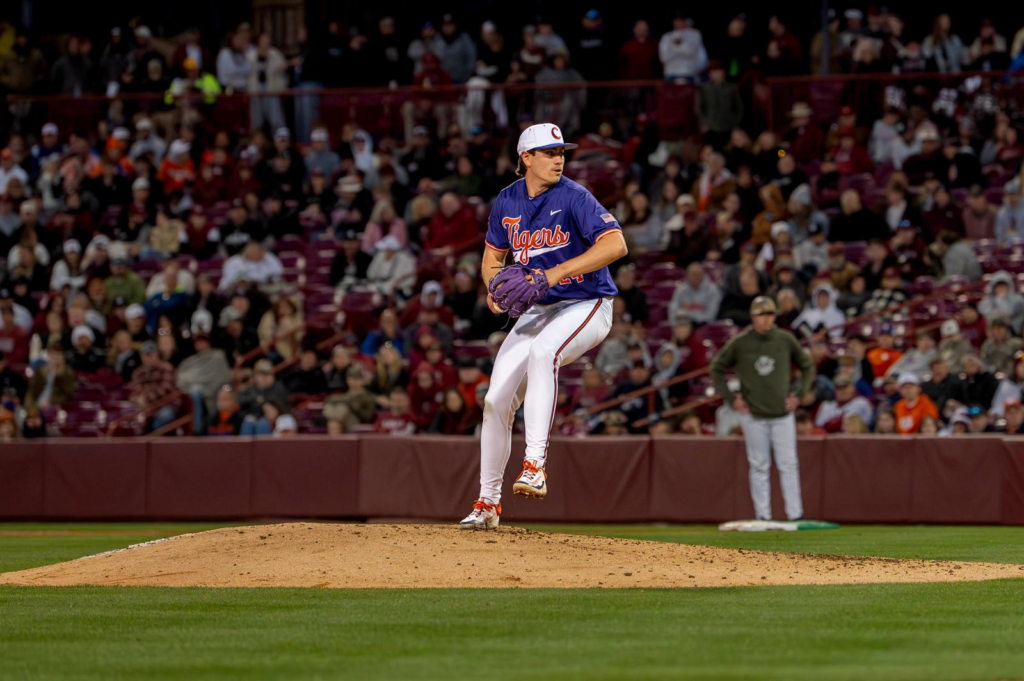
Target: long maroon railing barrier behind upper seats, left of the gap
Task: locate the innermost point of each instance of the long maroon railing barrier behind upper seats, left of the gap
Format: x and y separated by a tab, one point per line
577	107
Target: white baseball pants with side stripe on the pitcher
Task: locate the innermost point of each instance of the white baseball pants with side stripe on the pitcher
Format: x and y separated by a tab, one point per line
527	371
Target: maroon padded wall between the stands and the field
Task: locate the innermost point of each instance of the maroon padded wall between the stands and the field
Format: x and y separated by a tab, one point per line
593	480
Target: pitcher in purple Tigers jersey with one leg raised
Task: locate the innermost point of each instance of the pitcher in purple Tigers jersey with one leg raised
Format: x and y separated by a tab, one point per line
559	289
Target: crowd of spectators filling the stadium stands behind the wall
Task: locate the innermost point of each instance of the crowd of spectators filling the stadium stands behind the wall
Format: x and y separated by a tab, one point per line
157	256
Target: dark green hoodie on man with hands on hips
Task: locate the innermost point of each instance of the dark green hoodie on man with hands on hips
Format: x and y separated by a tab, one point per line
763	364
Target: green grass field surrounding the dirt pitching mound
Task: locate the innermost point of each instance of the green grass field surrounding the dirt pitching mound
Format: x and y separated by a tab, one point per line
928	631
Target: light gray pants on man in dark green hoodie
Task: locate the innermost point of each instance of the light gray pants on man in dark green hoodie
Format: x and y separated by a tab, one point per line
763	437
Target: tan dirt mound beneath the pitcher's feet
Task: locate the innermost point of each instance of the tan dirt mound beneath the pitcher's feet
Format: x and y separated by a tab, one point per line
407	557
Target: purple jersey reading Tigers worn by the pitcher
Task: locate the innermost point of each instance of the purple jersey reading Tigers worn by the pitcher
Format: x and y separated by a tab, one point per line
553	228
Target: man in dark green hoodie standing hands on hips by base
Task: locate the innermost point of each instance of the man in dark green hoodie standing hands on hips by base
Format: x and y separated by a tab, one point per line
762	358
